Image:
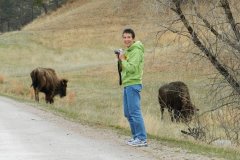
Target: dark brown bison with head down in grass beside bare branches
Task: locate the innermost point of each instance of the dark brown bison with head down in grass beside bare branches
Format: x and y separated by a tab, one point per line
175	97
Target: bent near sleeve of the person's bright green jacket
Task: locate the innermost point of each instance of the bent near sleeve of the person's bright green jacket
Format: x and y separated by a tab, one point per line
132	63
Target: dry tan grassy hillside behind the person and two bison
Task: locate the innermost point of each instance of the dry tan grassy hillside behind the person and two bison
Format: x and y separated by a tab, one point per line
78	41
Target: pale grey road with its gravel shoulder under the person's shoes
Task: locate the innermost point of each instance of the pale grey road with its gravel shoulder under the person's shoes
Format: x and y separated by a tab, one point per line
28	133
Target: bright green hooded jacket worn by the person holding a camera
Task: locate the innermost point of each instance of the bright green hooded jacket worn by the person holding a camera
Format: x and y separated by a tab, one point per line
132	67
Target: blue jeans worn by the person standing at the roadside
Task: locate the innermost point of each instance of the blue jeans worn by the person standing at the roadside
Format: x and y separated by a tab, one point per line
132	111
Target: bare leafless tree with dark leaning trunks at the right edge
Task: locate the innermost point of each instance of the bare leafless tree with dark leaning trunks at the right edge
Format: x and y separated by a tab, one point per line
214	29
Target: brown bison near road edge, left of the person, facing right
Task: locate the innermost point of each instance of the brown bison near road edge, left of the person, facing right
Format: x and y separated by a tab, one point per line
45	80
